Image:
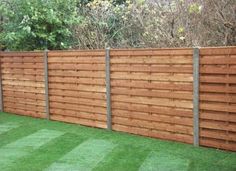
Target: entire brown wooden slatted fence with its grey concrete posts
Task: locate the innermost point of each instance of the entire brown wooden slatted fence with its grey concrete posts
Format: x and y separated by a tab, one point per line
149	92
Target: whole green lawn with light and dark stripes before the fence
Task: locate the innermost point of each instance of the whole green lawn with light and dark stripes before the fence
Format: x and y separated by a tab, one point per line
37	144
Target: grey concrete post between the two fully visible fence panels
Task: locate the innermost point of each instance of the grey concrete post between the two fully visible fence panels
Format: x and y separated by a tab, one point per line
108	90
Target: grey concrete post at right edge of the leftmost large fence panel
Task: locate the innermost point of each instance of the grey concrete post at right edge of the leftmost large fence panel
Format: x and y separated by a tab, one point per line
46	84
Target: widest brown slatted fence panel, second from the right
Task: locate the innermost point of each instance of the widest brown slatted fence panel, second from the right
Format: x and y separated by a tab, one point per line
152	92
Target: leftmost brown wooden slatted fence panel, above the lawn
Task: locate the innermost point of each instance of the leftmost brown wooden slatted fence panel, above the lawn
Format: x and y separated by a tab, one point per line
23	83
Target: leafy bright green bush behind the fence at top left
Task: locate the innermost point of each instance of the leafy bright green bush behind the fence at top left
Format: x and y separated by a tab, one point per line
38	24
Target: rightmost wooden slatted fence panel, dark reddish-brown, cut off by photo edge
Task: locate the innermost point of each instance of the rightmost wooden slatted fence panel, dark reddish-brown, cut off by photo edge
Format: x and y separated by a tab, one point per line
218	98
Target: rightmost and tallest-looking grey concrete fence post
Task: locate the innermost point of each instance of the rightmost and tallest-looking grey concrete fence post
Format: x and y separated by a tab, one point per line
196	96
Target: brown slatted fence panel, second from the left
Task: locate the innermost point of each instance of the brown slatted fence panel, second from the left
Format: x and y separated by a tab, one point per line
77	91
